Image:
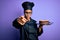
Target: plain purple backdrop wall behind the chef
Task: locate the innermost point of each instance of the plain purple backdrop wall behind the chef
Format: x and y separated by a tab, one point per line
43	9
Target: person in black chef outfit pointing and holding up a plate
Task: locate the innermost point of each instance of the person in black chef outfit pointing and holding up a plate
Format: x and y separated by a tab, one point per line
27	25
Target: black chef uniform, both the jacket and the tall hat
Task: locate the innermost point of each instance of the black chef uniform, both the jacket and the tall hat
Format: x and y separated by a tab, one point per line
28	31
